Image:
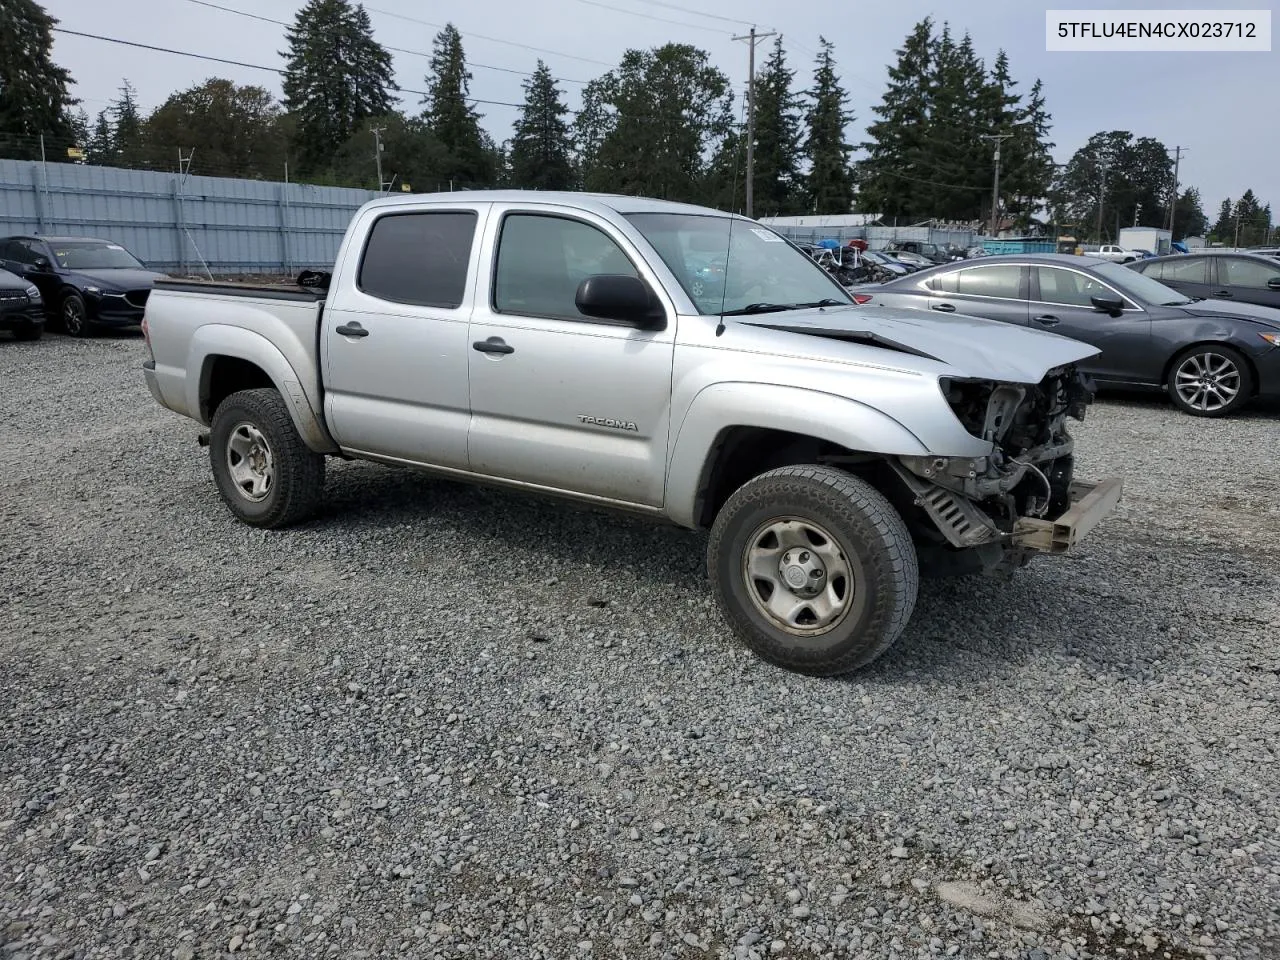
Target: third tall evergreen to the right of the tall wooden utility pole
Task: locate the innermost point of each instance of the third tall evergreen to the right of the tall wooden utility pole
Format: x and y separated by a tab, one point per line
898	150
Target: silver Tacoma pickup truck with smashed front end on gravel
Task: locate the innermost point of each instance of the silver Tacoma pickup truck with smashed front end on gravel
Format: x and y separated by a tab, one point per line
668	360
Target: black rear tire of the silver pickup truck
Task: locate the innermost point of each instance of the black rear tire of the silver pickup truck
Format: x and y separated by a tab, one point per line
296	474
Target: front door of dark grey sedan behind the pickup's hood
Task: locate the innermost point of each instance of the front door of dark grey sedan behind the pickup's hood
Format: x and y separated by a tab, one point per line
1062	304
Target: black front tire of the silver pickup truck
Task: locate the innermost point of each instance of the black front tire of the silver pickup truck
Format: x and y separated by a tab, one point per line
871	540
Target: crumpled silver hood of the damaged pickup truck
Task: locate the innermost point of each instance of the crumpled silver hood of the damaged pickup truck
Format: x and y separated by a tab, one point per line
975	348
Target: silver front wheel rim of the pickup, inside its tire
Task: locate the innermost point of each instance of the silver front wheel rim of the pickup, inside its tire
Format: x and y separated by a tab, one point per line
798	577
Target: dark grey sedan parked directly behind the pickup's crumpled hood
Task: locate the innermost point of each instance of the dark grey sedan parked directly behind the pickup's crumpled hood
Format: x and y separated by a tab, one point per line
1212	356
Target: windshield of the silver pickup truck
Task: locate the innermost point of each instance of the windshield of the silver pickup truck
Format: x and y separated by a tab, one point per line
758	273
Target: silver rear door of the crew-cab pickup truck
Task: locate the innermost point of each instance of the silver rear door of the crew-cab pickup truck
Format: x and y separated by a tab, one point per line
395	336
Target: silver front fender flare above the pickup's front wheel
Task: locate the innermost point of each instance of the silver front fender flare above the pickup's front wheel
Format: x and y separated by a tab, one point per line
825	417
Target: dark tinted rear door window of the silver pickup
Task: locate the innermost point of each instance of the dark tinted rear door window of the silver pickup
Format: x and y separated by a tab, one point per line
419	259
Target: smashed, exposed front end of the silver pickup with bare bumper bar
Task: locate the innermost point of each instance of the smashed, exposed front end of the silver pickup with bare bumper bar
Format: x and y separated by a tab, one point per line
995	514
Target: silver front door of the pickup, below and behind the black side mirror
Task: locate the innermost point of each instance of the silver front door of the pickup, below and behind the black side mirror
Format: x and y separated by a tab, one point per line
561	400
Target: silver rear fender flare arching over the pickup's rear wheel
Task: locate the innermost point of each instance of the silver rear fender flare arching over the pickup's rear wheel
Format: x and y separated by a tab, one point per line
214	341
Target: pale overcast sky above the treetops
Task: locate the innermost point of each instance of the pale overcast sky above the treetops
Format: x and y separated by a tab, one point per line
1218	107
